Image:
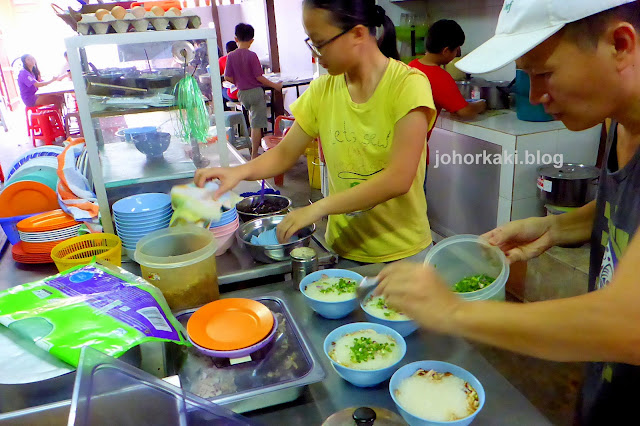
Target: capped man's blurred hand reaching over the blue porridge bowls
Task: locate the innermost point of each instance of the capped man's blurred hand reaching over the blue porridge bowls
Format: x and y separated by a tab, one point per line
421	293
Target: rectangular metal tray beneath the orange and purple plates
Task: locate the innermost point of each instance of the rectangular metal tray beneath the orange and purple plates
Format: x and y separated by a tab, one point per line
276	374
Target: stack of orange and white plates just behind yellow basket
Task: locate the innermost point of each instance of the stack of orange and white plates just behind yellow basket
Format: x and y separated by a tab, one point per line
41	233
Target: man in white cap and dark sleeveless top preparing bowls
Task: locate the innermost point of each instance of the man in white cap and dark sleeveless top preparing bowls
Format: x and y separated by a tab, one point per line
583	58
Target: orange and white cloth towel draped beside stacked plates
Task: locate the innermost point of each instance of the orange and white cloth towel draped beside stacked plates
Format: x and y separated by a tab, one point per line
75	195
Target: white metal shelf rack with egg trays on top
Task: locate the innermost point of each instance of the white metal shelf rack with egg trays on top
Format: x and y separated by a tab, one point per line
117	165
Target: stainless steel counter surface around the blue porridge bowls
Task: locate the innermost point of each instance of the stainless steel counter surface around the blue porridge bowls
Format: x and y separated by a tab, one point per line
504	404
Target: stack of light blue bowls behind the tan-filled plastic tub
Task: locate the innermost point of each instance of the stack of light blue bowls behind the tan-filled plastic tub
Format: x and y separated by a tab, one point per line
139	215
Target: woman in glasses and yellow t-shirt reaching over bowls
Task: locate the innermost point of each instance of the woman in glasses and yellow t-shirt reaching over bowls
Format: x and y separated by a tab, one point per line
372	114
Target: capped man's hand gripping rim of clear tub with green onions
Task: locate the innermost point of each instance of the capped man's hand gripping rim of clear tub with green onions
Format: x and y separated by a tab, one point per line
523	239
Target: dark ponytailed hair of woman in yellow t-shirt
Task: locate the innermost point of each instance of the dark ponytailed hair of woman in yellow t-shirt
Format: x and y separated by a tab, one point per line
346	14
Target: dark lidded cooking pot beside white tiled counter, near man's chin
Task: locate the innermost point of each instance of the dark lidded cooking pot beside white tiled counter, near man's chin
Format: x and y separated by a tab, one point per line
572	185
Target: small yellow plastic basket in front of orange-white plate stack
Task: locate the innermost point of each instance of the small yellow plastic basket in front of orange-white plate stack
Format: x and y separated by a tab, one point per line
81	250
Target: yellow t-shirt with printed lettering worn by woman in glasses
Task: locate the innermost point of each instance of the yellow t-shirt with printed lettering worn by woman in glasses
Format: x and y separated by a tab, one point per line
356	141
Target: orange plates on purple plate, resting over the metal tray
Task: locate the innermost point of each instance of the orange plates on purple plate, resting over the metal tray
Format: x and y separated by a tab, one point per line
230	325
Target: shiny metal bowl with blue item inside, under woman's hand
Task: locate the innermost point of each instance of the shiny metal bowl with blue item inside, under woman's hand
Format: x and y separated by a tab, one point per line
276	252
